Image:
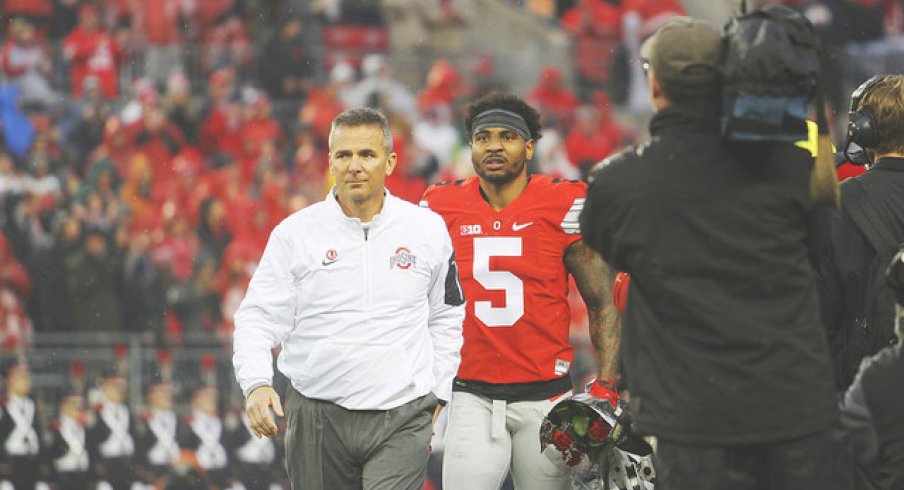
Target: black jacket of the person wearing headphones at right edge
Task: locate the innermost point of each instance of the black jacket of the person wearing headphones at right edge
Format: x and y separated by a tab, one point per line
852	248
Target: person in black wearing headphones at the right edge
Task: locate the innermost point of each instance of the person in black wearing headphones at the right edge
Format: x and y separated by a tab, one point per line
855	244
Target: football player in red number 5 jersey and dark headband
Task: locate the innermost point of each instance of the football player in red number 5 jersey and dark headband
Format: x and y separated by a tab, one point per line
516	239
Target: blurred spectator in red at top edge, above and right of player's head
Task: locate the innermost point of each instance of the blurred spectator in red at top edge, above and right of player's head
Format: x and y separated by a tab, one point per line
595	28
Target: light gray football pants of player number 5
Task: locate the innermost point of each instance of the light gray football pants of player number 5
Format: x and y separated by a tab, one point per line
478	455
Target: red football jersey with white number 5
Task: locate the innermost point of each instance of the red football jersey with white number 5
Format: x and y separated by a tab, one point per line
511	267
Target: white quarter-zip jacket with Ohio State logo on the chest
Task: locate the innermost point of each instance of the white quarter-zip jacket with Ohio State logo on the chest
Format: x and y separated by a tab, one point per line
368	315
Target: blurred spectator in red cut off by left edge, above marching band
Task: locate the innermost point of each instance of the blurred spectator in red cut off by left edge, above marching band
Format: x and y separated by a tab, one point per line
15	288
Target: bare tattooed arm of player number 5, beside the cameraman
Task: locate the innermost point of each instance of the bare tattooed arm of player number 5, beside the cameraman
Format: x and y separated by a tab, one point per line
594	277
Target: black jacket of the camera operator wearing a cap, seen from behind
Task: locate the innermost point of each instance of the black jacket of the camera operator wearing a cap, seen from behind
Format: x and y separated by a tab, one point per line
721	339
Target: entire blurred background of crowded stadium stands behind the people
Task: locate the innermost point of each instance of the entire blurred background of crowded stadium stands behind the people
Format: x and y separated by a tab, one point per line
148	147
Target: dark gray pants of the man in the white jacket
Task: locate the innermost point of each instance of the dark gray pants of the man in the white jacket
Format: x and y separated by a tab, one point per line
331	448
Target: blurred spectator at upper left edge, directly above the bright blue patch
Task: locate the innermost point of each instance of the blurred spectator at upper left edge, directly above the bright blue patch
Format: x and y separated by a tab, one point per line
26	63
